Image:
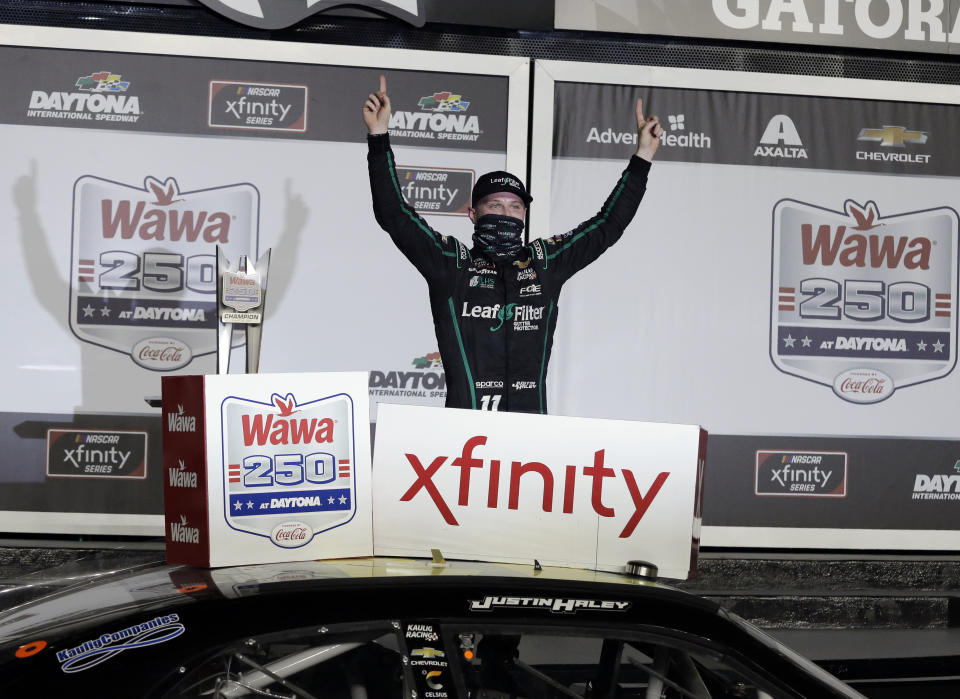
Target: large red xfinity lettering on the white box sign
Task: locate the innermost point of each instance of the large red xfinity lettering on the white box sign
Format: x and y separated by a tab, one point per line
561	497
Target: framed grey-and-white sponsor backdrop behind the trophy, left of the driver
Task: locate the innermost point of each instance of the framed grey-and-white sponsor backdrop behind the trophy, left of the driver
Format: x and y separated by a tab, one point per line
125	169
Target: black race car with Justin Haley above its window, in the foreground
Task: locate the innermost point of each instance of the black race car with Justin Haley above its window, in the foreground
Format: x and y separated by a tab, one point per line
388	627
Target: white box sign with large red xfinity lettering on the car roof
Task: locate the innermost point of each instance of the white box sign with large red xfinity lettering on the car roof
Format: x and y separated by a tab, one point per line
517	487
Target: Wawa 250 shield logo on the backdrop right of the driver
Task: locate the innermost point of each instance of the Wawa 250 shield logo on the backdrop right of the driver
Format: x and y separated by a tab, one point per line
862	302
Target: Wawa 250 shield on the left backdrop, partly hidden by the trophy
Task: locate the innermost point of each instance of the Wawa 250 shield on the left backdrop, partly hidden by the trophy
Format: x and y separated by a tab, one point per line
143	272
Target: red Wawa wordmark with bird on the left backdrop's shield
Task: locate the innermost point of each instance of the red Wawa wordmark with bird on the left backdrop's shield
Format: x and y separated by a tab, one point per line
158	220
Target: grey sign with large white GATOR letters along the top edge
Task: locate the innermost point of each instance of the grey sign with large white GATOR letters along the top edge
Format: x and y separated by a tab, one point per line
903	25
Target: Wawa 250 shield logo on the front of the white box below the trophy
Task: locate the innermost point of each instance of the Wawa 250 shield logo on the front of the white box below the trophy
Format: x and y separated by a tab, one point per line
288	467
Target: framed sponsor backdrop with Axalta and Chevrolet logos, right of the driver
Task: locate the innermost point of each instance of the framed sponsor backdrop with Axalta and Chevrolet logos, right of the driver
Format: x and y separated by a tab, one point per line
789	282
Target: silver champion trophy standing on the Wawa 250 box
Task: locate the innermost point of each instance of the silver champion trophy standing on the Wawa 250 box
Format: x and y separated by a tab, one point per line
241	298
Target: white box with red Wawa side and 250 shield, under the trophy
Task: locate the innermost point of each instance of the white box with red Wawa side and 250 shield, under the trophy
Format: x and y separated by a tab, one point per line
266	467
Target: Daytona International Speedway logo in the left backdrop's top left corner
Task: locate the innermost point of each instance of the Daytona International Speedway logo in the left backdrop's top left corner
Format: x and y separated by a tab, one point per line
101	98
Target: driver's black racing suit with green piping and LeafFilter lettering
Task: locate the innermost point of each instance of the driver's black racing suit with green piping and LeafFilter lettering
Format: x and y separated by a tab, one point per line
495	319
